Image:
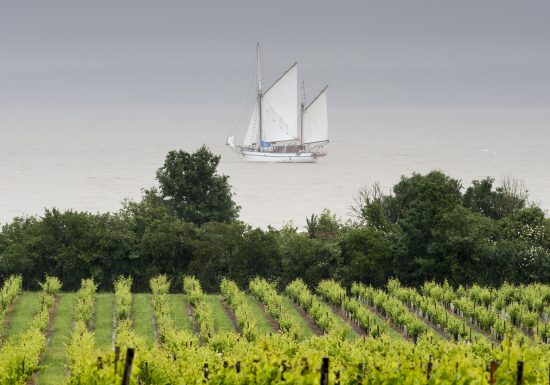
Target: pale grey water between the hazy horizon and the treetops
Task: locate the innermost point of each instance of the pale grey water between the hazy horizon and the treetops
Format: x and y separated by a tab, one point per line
93	158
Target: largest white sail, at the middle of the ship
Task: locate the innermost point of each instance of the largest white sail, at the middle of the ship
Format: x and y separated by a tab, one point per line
280	108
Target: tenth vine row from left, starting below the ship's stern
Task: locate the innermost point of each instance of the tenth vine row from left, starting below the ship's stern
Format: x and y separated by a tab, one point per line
333	292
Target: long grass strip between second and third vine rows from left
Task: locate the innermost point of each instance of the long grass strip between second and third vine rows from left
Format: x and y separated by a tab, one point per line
55	356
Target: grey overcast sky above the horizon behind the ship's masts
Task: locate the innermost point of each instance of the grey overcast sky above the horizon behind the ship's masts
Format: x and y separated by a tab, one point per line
133	52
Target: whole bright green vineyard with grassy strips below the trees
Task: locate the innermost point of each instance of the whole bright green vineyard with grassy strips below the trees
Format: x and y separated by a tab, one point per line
435	334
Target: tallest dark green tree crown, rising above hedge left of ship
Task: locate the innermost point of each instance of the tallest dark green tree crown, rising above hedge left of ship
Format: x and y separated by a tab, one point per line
192	189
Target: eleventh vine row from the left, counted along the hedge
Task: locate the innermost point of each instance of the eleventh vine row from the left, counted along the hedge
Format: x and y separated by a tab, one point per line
392	308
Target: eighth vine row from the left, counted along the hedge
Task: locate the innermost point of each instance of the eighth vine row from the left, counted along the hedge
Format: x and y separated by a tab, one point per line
273	302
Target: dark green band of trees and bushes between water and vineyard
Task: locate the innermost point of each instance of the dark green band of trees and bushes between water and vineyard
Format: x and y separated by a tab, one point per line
428	227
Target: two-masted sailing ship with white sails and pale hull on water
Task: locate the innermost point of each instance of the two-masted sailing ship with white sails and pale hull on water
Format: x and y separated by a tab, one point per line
280	128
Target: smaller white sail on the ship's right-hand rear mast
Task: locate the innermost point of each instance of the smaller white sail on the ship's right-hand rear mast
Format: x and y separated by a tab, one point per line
315	120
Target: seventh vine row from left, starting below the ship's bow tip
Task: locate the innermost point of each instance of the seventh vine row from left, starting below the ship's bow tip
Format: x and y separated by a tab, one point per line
243	312
